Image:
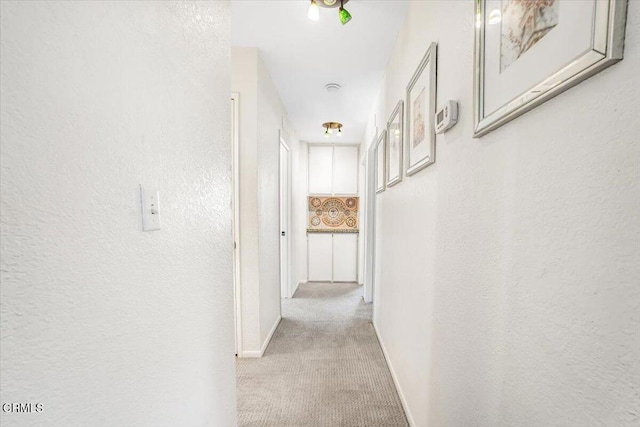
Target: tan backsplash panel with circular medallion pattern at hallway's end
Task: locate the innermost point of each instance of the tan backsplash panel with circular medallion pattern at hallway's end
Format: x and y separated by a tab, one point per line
333	214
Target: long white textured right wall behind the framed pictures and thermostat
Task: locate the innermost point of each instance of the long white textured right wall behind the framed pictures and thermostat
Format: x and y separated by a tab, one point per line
508	284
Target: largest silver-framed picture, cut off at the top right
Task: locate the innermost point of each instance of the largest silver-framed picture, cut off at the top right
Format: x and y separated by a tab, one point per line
527	52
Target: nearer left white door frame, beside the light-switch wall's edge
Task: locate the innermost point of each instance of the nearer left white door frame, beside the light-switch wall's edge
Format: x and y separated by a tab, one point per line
235	218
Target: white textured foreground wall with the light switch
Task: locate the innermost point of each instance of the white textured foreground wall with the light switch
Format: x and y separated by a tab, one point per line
102	323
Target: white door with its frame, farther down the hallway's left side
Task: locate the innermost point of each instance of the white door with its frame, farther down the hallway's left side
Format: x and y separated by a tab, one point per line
284	171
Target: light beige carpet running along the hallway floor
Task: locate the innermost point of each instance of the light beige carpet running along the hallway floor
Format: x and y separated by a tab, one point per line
323	367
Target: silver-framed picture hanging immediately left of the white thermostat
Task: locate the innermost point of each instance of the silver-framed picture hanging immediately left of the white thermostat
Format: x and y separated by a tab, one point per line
420	110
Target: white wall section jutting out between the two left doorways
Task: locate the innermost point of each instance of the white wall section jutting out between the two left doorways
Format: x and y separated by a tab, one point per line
261	118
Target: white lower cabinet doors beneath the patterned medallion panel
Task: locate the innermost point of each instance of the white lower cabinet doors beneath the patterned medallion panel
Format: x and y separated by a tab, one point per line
333	257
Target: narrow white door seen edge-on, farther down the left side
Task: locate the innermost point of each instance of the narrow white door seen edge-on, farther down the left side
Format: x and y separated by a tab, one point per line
285	215
